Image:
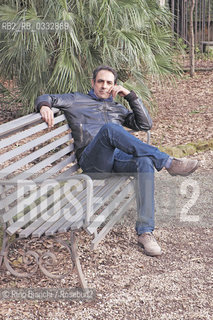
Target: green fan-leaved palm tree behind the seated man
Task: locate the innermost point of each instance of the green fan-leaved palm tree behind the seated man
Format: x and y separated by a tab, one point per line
132	36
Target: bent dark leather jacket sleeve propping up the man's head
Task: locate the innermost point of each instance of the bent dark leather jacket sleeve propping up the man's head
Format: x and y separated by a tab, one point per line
139	119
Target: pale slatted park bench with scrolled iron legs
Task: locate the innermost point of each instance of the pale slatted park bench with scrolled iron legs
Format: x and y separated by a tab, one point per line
43	193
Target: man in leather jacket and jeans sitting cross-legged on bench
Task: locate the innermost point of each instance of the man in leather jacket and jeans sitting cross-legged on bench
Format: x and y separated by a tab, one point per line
104	146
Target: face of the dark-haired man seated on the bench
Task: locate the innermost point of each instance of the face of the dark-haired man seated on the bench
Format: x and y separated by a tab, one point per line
103	84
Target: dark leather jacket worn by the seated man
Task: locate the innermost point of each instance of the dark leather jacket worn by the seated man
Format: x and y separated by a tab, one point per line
86	114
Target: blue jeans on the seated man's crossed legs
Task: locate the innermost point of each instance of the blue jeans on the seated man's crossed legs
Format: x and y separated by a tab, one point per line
115	150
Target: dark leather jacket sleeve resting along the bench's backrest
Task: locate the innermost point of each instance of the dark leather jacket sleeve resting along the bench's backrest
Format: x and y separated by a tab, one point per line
60	101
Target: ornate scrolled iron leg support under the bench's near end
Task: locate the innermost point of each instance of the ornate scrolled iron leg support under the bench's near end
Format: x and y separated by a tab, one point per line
26	261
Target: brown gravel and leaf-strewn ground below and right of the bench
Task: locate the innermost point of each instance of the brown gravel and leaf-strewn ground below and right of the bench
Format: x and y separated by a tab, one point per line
128	284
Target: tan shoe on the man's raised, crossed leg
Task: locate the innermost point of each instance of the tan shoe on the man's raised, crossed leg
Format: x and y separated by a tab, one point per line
182	167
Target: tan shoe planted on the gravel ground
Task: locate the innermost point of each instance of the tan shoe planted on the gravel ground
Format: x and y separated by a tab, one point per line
147	241
